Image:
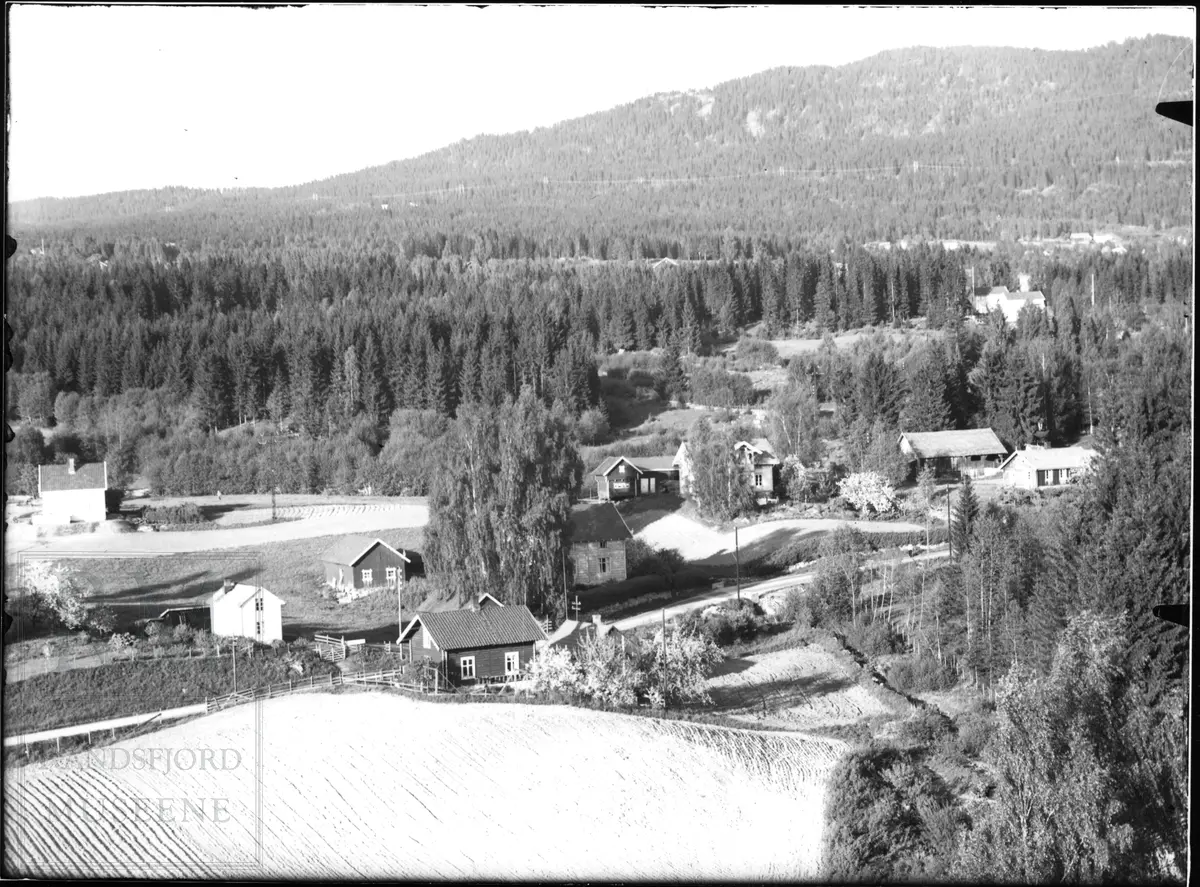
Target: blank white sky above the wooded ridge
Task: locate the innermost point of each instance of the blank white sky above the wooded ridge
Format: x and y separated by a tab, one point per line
124	98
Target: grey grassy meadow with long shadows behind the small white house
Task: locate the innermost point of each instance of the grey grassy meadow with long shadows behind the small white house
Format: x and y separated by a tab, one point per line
143	586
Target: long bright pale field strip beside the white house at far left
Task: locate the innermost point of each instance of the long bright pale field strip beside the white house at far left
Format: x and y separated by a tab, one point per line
305	522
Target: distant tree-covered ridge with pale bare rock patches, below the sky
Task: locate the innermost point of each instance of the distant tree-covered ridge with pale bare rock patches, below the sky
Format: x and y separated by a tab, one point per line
979	143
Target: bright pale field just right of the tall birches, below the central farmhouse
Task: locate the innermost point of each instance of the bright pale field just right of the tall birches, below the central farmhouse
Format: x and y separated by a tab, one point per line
701	544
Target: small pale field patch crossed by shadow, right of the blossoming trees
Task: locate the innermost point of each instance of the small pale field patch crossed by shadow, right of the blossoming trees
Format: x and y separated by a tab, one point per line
805	688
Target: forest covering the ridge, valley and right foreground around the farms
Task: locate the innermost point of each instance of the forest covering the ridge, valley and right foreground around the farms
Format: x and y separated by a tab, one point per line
425	327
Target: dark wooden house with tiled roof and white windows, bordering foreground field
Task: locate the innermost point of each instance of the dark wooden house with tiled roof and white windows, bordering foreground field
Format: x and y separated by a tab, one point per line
482	644
